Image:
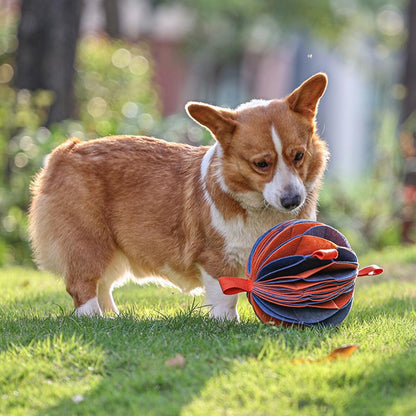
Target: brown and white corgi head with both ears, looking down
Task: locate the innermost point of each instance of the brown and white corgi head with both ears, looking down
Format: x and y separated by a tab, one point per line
271	153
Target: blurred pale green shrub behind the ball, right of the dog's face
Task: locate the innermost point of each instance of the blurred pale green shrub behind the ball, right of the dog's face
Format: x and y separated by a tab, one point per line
367	210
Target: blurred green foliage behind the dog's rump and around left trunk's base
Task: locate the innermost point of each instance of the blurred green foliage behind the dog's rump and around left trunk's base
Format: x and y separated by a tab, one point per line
114	95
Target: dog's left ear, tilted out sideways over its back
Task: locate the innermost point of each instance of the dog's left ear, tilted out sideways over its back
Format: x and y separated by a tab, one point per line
221	122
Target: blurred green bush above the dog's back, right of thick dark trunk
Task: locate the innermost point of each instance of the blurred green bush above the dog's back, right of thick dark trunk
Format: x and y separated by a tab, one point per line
113	89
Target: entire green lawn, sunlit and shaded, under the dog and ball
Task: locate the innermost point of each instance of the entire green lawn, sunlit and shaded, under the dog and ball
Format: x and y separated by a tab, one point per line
52	363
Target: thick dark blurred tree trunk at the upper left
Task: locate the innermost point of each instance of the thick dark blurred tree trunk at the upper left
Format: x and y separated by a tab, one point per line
47	35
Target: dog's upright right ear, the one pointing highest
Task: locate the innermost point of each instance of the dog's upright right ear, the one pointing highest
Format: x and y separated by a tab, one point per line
305	99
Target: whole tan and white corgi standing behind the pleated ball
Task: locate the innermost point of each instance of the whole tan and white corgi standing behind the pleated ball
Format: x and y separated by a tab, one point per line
136	206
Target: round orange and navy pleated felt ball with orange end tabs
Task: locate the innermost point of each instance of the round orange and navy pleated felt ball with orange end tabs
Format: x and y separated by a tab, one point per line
300	272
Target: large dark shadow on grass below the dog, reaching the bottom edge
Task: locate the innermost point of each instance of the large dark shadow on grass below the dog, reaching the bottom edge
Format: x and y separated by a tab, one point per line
135	378
